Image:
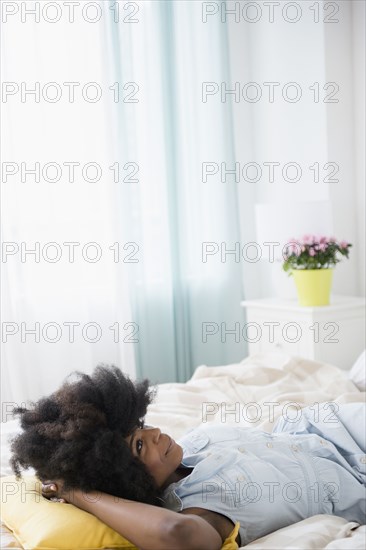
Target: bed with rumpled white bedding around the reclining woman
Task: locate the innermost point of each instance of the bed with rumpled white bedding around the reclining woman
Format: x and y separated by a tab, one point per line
240	394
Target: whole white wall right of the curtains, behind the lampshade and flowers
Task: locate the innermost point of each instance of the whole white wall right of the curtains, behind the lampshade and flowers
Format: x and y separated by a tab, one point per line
305	132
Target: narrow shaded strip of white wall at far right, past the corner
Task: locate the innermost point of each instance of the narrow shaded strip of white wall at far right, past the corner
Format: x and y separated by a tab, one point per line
343	54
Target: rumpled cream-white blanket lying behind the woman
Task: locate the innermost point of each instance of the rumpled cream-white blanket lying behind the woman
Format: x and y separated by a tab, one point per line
272	382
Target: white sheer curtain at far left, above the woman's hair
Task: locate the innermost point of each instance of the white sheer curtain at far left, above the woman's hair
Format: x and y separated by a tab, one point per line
47	292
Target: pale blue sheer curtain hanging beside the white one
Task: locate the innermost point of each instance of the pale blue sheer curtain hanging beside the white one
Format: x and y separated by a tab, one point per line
171	213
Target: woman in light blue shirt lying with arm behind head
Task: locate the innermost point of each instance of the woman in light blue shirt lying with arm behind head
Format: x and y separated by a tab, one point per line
88	443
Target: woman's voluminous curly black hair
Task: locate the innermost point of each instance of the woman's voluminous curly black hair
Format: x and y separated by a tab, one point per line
78	434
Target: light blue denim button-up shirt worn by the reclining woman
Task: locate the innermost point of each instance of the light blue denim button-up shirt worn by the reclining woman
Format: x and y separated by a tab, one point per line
268	481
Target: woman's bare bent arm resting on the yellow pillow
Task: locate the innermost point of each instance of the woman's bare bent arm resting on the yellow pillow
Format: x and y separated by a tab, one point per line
148	527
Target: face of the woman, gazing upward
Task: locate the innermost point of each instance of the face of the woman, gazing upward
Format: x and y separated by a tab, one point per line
159	452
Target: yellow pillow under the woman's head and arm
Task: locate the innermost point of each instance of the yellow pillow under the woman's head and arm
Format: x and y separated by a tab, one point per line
39	524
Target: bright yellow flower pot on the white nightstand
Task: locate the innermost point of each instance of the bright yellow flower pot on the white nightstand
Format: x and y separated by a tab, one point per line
313	286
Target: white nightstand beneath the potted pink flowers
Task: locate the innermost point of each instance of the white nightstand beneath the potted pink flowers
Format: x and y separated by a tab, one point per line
334	334
